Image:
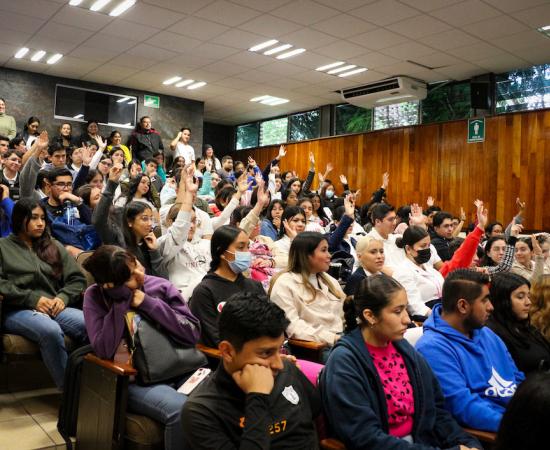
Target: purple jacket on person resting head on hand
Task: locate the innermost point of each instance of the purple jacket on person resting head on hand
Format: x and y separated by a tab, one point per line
104	311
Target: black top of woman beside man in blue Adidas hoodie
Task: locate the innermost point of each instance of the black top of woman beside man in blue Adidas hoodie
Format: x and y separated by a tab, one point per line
528	347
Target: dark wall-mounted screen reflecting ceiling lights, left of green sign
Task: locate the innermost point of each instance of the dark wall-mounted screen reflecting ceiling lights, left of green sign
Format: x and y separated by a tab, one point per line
80	105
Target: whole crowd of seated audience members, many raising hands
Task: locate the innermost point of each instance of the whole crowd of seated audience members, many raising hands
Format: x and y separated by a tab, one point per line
241	258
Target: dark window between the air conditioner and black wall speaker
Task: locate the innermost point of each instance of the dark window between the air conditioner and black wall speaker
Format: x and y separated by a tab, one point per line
446	102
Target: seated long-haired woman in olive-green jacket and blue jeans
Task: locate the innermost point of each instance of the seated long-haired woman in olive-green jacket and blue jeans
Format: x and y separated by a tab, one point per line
39	283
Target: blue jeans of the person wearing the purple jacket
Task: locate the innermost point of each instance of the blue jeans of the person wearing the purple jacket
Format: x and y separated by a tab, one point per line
162	403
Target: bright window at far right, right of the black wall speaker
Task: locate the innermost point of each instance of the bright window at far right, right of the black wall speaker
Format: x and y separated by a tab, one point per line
523	89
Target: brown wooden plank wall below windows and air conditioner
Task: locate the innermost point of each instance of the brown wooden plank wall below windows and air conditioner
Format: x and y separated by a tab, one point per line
436	160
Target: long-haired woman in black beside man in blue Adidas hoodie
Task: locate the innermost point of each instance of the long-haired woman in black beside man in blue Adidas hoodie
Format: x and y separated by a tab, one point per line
510	321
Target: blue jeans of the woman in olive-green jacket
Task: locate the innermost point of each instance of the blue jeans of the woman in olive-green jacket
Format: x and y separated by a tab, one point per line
48	333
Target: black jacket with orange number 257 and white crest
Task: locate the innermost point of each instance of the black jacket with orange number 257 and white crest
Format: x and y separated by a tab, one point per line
219	415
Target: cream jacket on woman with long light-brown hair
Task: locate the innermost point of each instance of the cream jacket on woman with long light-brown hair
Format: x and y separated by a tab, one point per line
319	319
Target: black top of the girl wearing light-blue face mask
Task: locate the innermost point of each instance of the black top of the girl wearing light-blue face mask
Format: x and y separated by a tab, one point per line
208	299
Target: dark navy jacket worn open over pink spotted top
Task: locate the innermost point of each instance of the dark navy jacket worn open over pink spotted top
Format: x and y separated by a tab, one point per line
355	404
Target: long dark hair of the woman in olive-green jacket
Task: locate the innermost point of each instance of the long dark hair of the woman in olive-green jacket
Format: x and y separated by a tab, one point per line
44	246
